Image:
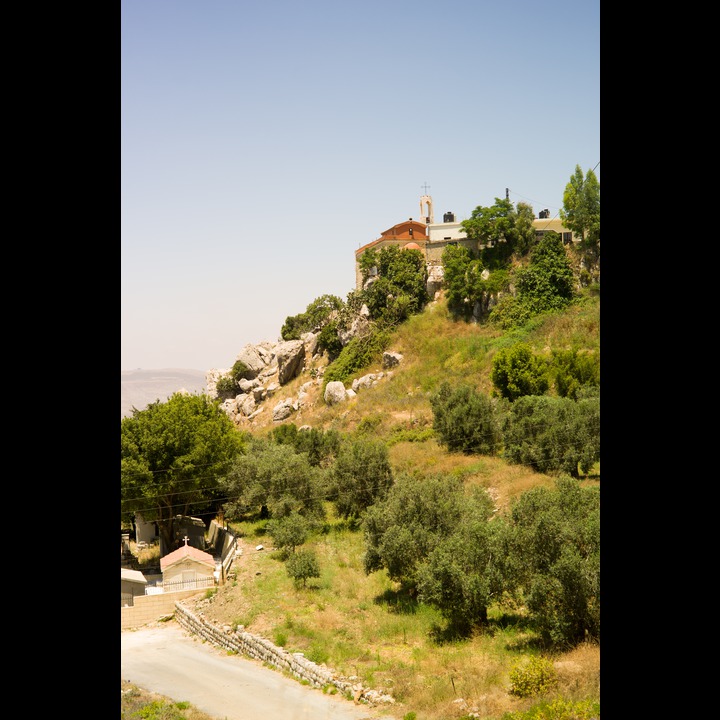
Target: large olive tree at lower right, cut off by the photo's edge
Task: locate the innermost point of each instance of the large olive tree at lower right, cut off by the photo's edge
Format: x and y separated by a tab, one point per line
555	552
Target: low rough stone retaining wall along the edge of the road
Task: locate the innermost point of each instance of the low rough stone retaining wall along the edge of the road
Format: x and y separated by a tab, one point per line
263	650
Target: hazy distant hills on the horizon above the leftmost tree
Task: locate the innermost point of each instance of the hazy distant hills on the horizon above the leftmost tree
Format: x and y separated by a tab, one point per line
139	388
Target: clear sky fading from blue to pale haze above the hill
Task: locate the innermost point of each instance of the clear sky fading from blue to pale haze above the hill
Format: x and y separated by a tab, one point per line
263	142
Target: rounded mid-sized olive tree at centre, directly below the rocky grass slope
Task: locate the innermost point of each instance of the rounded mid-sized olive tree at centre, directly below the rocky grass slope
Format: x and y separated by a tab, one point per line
361	476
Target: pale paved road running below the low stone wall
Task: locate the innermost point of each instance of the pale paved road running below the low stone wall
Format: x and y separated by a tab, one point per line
166	659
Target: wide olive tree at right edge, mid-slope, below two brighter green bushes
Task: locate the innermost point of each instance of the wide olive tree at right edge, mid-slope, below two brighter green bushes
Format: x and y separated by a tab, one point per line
552	434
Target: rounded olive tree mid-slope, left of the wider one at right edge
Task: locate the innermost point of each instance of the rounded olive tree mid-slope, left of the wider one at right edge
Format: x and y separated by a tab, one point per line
465	420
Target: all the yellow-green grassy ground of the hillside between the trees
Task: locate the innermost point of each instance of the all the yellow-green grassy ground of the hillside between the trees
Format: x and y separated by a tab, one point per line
360	625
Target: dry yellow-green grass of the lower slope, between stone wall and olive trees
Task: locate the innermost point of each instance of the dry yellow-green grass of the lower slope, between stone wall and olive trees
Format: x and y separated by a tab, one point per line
364	626
